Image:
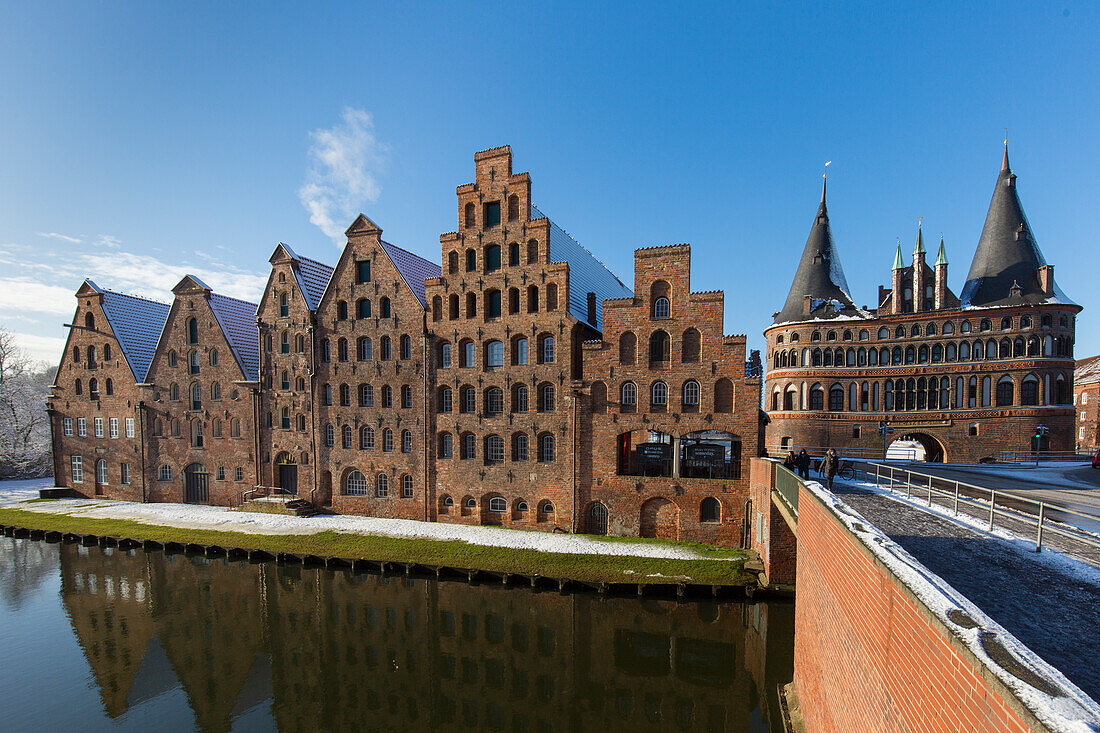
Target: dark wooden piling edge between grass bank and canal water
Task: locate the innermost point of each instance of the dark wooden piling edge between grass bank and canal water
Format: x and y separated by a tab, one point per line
680	590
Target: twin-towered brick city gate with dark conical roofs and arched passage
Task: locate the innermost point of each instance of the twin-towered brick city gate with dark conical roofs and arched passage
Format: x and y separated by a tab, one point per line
994	364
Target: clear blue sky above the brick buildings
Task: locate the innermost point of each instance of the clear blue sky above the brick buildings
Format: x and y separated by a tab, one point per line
192	137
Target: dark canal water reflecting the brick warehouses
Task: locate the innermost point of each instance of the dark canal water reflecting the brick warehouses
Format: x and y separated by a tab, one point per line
131	641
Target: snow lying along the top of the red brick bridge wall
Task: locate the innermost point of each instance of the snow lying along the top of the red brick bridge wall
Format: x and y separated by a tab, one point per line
1074	713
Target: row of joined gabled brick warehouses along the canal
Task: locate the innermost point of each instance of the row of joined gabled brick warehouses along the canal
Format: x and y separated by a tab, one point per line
488	391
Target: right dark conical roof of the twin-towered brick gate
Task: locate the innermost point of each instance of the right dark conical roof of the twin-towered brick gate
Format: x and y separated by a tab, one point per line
1007	253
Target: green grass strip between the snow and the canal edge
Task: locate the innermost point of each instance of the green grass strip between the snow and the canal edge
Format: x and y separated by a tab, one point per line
727	567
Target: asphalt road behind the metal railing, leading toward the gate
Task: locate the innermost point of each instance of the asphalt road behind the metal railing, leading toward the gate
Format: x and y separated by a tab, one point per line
1072	486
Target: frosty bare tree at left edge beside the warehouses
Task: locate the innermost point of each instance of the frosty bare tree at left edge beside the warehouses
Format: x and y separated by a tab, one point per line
25	426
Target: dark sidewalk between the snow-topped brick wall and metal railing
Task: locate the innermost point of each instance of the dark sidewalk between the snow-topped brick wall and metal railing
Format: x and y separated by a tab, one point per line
1049	601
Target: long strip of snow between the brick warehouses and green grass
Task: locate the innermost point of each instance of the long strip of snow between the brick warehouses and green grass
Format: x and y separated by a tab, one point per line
200	517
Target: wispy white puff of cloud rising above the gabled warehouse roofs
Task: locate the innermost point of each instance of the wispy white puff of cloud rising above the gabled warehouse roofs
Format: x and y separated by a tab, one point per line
342	177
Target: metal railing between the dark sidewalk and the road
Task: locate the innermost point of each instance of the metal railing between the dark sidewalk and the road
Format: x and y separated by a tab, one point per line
989	502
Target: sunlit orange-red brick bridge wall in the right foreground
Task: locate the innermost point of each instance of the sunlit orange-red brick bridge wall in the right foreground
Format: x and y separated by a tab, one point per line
868	658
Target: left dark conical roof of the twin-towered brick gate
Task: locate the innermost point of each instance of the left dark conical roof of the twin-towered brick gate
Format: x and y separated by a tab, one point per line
820	276
